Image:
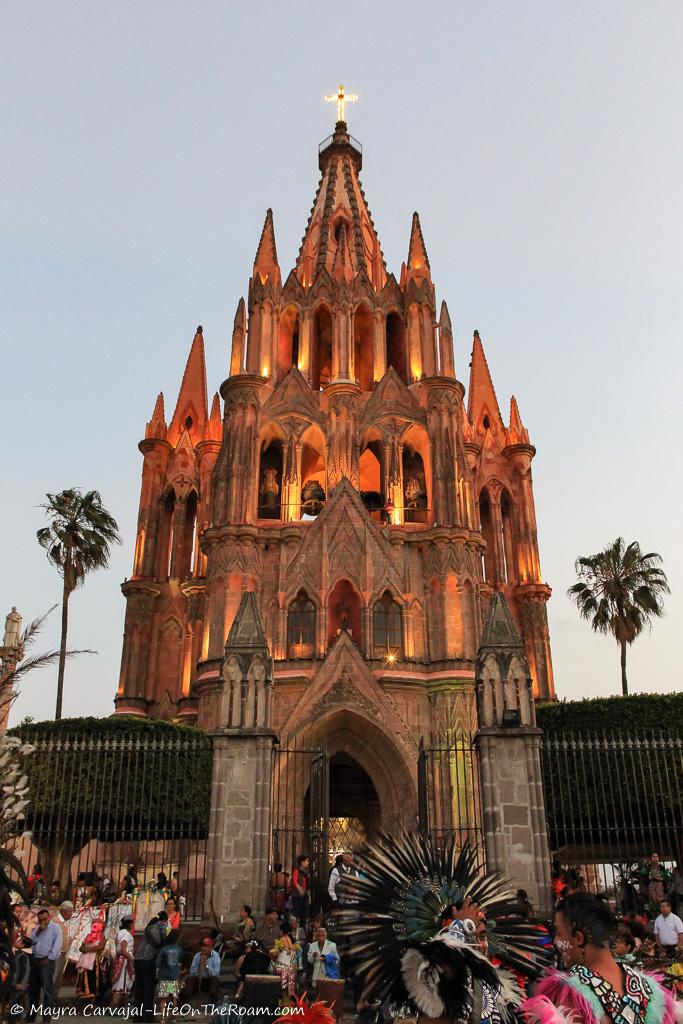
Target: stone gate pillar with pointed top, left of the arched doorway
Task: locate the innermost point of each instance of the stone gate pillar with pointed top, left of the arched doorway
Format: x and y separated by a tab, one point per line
239	721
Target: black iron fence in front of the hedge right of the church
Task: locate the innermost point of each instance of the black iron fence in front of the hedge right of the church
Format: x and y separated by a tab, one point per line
613	801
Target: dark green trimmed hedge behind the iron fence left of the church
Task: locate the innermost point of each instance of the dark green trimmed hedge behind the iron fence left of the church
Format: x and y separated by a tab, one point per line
116	780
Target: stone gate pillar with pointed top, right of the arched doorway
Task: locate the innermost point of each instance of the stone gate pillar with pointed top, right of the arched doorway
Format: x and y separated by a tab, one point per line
508	741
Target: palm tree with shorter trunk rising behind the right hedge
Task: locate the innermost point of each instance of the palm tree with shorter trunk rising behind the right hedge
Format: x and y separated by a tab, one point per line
621	591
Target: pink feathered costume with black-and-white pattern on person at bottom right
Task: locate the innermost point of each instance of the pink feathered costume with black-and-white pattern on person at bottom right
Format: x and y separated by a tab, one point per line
583	996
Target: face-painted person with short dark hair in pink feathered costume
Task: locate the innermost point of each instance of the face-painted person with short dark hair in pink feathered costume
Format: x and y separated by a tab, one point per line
595	990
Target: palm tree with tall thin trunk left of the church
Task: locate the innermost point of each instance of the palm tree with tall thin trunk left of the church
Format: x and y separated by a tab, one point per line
77	541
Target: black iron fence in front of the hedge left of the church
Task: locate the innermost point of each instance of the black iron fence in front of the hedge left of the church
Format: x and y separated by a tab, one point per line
100	806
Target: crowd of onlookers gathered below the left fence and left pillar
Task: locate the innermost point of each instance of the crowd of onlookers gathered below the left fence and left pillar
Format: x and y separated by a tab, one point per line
125	944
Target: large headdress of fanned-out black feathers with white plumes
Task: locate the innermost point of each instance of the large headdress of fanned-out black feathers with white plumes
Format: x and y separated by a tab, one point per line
393	926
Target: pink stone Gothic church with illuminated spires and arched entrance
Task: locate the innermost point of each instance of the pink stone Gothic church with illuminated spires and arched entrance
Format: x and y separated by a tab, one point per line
350	482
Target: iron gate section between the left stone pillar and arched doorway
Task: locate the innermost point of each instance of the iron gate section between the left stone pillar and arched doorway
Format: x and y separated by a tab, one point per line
301	813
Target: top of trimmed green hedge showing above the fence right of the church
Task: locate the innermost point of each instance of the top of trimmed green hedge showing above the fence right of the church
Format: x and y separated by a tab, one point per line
663	712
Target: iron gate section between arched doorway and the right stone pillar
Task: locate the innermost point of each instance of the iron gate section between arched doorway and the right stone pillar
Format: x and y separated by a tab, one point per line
449	792
